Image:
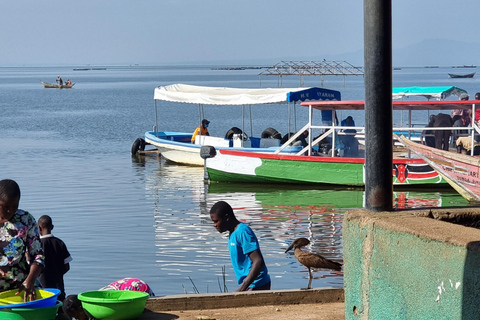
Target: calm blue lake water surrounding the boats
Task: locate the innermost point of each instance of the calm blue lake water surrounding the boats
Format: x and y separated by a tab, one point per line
141	217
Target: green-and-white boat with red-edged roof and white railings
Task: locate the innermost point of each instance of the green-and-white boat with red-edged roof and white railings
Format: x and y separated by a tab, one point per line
328	168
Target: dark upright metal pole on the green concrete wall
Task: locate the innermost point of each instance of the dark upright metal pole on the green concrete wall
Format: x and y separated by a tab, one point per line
378	105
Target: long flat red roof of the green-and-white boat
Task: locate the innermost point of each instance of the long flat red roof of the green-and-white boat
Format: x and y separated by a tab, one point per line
397	105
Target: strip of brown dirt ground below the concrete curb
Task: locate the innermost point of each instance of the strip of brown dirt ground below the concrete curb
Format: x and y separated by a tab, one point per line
320	311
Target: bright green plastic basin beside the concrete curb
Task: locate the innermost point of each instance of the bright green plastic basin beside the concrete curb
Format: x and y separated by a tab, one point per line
113	305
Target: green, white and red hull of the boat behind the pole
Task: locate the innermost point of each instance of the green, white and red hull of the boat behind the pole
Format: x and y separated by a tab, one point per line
237	166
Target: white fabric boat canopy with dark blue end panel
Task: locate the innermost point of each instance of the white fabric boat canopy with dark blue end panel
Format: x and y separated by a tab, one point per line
240	96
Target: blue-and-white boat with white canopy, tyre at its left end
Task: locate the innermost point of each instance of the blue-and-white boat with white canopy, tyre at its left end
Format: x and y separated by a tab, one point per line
177	147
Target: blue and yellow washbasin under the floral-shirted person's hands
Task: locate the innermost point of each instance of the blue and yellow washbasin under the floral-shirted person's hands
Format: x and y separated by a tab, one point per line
45	298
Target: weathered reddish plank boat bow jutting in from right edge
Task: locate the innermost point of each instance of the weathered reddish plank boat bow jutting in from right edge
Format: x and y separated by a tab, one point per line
461	171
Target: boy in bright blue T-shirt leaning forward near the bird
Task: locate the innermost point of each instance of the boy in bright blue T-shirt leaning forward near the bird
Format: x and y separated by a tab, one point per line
247	260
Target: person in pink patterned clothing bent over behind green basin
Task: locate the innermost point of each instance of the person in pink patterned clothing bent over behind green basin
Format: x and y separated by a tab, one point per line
72	306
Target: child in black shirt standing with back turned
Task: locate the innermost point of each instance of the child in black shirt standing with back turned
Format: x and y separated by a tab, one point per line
57	257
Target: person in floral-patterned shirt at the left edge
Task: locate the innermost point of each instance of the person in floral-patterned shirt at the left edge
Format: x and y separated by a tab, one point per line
22	259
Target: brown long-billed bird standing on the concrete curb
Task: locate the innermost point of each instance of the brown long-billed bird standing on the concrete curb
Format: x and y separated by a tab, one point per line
311	260
